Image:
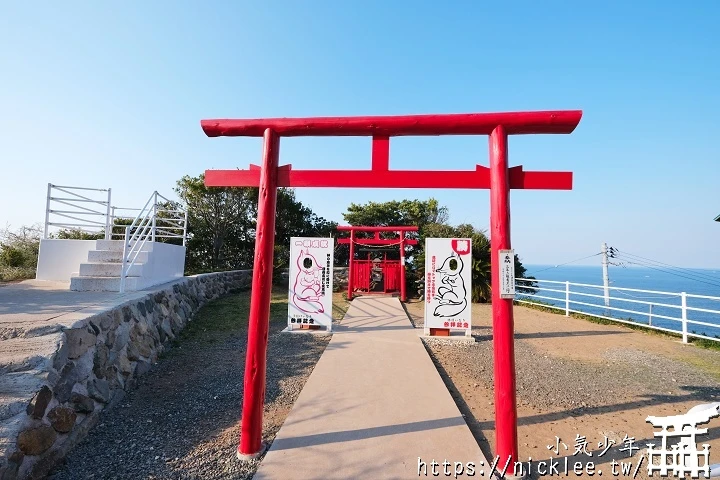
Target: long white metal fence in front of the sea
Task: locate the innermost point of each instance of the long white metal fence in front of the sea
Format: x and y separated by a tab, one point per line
678	317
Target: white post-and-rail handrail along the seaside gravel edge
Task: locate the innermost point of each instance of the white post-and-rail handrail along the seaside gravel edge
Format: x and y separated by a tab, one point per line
574	305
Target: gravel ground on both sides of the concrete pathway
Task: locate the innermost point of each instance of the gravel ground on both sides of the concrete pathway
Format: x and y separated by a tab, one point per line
572	378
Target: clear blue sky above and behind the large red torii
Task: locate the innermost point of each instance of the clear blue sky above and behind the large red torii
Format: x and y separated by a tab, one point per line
102	95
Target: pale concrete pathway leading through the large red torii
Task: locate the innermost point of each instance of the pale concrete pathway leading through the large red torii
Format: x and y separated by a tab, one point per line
374	407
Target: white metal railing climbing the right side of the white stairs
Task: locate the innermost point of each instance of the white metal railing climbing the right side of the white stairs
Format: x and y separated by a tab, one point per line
155	220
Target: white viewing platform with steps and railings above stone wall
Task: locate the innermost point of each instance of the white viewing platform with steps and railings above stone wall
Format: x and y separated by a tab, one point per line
131	253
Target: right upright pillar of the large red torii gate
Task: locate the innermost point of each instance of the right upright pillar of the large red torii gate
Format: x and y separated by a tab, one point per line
502	313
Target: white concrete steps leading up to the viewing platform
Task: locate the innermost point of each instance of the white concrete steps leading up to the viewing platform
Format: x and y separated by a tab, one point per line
102	271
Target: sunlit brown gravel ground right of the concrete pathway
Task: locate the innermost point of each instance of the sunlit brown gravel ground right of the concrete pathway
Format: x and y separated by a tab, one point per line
574	378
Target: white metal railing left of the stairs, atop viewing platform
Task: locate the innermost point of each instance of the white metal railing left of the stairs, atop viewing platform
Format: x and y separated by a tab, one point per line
66	207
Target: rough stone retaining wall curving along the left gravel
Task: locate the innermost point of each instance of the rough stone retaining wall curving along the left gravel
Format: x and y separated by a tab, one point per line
98	359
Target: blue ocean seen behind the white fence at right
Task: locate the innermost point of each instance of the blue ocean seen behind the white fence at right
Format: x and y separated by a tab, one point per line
671	282
